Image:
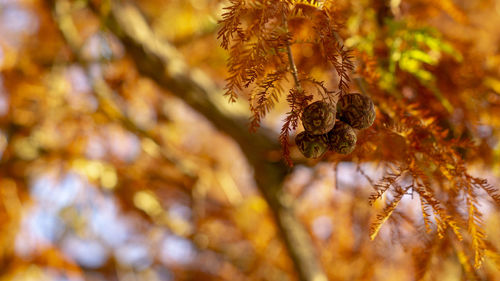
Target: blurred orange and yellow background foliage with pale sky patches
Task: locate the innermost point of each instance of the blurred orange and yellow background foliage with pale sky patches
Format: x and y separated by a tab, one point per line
105	175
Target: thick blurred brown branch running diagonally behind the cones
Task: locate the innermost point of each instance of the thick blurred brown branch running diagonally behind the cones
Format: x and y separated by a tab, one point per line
162	63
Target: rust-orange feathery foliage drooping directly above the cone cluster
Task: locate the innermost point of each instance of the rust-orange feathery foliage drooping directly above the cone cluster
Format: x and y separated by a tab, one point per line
258	39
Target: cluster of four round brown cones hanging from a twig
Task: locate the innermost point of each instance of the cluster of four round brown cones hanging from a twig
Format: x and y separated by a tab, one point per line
323	132
